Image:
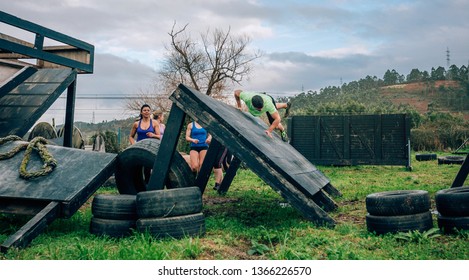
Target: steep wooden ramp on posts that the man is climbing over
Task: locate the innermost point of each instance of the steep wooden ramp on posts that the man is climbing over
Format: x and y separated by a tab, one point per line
276	162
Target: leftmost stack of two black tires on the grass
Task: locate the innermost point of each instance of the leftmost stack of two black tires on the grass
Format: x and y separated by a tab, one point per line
113	215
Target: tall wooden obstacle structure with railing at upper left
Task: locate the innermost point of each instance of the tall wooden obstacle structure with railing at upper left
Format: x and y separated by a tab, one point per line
28	90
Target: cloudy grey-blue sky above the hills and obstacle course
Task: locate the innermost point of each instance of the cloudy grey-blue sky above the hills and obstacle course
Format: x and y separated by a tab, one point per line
307	44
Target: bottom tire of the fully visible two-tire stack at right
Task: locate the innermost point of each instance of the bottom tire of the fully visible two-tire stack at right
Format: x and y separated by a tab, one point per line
392	224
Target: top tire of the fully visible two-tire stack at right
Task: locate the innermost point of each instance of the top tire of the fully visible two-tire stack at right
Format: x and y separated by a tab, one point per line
397	203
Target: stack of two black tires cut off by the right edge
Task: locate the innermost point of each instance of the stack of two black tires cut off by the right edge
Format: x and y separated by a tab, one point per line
453	209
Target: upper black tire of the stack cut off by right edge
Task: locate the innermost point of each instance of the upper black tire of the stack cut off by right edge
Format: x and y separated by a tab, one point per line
453	202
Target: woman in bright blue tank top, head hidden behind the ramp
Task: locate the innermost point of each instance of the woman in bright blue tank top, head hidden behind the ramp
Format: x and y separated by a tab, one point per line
199	140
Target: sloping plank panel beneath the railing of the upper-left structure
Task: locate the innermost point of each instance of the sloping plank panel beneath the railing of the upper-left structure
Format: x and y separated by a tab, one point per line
21	107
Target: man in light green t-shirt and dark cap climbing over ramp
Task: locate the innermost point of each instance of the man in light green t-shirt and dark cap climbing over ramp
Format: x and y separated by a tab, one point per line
260	103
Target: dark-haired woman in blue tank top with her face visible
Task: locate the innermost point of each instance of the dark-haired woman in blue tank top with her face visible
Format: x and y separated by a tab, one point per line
145	127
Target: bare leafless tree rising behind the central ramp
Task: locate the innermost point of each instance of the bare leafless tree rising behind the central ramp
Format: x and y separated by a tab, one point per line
210	66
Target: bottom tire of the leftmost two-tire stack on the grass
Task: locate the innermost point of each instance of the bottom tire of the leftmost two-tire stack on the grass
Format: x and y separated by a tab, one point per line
112	228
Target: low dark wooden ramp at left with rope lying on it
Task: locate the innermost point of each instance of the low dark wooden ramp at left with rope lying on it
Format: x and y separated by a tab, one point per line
57	195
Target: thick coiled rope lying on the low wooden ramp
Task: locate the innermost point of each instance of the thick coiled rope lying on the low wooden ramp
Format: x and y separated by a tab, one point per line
37	144
